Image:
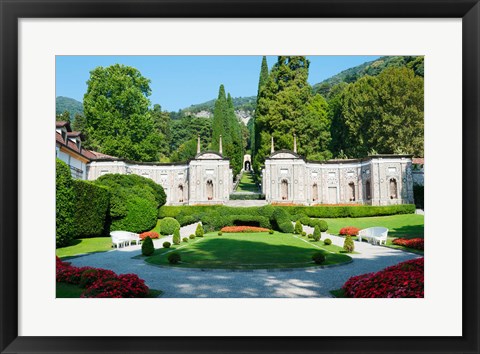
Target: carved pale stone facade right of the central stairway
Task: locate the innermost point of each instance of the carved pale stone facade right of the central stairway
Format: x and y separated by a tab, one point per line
376	180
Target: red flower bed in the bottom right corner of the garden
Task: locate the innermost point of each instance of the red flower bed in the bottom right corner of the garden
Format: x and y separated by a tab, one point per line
402	280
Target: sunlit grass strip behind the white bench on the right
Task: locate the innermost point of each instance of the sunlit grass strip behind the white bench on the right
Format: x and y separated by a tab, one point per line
405	226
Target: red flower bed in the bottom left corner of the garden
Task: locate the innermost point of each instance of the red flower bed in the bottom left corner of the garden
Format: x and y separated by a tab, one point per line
101	283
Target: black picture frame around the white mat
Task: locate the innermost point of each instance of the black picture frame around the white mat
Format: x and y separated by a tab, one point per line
12	11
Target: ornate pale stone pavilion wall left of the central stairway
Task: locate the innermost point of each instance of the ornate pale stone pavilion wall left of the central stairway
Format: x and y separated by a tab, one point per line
207	179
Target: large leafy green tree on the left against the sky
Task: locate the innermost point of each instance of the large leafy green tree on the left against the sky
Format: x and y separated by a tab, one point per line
118	120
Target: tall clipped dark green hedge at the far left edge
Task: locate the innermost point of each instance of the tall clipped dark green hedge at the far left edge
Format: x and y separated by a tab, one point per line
65	205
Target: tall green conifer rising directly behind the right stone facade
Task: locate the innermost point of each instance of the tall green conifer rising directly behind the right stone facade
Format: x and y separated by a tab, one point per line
286	105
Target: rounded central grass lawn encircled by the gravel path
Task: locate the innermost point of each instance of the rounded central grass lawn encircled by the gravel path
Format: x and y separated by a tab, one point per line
250	251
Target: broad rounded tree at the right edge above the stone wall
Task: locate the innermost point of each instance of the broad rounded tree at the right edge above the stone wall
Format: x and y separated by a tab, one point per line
384	113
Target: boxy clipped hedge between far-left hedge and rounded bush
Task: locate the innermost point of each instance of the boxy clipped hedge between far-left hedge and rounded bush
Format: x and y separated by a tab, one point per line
91	209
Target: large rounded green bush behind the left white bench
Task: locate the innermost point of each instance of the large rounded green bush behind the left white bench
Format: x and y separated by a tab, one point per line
134	201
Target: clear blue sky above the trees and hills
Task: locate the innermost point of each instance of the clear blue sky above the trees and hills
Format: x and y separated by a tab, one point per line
180	81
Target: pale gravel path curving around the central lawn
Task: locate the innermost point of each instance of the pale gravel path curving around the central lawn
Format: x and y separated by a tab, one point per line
188	283
